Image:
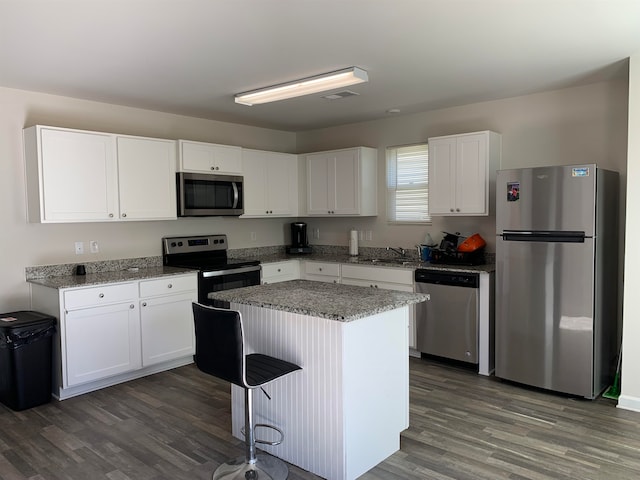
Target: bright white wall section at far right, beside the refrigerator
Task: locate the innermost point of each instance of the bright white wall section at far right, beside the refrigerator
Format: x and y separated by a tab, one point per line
630	395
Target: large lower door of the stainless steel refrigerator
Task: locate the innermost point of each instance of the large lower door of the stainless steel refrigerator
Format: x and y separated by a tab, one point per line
544	314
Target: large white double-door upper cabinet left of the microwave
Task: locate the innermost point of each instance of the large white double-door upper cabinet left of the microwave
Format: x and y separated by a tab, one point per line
79	176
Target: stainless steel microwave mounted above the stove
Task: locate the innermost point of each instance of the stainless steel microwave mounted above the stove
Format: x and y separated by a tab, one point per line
209	194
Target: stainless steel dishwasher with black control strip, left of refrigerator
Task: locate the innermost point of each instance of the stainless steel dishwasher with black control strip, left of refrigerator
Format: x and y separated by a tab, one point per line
447	323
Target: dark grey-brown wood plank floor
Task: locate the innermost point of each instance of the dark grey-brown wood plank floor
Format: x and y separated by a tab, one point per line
176	424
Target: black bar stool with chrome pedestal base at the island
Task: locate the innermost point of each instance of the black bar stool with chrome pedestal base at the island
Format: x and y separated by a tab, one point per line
220	352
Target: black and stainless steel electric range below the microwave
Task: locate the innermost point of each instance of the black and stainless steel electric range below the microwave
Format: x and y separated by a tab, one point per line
208	255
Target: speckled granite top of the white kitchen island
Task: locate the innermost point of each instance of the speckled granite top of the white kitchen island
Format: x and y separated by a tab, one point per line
333	301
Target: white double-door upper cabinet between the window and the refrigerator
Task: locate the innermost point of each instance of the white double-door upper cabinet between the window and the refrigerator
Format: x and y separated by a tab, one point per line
462	171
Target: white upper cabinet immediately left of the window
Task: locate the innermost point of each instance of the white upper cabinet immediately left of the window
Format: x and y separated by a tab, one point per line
342	182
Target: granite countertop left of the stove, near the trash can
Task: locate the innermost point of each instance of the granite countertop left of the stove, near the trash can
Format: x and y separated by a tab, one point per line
100	278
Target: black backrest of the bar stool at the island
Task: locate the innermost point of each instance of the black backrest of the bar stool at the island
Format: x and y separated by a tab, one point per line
219	343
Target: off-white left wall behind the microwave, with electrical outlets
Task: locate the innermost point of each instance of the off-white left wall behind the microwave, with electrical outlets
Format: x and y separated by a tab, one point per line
25	244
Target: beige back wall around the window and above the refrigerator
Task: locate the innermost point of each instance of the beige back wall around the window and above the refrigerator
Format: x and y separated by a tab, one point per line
586	124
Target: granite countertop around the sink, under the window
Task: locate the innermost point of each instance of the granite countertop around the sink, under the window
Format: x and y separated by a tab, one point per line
397	262
